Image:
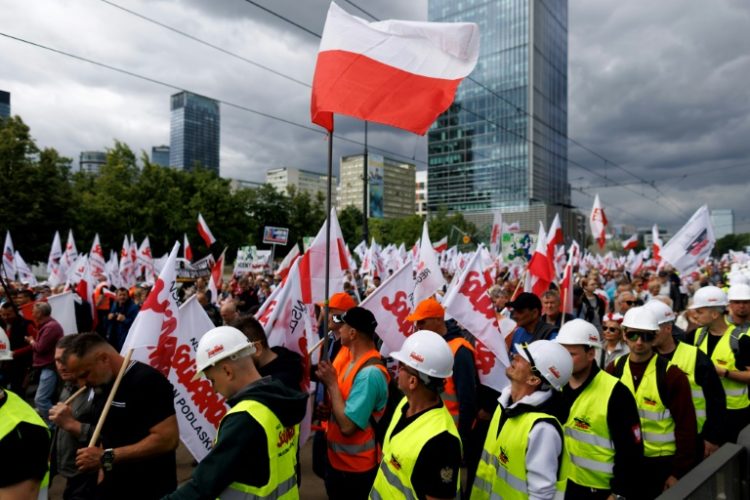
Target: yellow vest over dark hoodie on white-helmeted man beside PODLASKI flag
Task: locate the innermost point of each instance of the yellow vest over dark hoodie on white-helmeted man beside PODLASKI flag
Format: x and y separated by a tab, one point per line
282	457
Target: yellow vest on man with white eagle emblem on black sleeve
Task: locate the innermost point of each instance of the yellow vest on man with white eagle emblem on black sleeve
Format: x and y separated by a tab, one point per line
401	451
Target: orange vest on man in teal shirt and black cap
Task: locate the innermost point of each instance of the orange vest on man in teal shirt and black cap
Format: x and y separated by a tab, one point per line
358	452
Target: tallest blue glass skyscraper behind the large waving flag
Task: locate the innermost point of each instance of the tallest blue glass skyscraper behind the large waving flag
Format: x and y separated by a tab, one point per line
502	145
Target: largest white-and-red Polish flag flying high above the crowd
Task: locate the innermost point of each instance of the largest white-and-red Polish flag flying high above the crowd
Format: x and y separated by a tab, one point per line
398	73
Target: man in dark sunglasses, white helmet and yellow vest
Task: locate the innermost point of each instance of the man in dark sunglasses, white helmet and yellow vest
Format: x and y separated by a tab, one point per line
665	405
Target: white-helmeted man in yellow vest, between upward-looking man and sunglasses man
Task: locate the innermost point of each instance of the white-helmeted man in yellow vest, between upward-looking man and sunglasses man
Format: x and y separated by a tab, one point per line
602	426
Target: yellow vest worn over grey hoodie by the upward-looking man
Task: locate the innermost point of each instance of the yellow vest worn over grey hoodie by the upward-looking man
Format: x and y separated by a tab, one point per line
502	466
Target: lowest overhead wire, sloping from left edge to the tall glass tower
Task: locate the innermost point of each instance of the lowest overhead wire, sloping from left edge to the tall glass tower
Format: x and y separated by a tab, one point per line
178	88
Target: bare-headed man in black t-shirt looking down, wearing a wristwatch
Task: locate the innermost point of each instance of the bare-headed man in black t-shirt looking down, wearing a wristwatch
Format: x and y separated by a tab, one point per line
140	434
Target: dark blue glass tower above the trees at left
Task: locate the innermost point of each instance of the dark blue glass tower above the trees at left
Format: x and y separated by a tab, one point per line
194	134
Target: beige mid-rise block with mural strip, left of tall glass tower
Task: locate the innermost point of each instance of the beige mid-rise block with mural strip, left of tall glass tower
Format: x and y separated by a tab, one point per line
391	185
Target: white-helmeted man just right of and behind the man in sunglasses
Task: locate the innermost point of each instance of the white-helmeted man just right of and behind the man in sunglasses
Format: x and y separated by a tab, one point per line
708	394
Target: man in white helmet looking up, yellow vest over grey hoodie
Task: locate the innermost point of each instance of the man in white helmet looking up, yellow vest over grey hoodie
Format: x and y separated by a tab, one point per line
524	453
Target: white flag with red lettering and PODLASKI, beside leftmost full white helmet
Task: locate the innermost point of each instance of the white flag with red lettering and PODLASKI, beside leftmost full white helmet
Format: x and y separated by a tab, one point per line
198	408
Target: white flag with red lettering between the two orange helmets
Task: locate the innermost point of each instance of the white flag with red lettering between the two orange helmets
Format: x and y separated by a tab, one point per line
391	303
